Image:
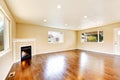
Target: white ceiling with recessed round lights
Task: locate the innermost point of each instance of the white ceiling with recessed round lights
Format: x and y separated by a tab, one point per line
69	16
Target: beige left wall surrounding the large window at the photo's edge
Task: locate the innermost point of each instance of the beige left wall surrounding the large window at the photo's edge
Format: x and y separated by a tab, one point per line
6	60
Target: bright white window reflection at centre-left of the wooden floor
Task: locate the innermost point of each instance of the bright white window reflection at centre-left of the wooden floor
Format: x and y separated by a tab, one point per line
55	65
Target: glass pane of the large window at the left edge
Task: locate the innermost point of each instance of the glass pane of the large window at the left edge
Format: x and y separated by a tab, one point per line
1	31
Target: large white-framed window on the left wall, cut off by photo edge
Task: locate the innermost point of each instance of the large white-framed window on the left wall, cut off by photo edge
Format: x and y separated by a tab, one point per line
4	32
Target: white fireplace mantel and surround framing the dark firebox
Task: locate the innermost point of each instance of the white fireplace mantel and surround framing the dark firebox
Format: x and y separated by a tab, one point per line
18	43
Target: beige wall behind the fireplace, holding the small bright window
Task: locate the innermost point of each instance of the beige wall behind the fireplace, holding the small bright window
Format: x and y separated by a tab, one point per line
41	35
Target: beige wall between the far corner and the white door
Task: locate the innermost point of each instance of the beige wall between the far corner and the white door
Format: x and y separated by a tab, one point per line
106	46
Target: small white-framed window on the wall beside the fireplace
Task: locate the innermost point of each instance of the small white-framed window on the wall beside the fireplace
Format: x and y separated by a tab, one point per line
55	37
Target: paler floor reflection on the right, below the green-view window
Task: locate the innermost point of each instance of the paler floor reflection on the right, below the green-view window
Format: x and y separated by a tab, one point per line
90	65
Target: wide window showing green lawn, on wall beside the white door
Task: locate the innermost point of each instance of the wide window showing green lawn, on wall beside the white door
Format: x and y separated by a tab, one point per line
95	36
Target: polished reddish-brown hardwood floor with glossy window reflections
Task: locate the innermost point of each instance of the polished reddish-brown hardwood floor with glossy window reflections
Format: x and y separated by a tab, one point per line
68	65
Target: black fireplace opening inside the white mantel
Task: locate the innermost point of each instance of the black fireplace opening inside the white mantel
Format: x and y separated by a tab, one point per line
26	53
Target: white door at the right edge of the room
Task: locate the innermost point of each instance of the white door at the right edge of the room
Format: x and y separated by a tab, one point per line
117	41
